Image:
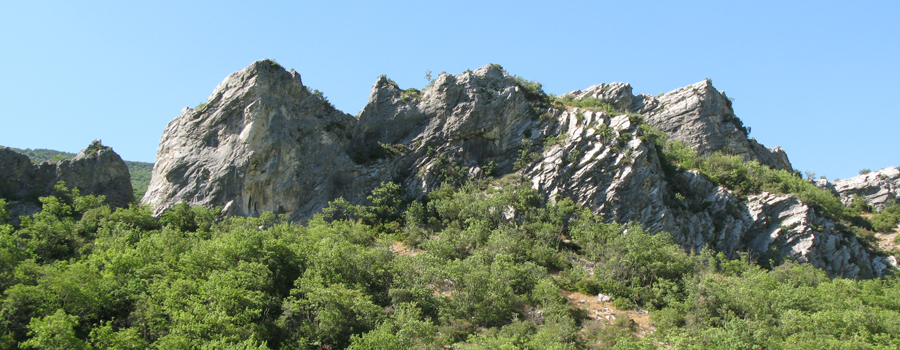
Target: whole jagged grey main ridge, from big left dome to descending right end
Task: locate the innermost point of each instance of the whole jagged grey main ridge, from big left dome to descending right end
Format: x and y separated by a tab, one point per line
263	141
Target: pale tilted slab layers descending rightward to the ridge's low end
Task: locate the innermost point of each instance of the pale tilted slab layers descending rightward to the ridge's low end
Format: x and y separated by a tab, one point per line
625	182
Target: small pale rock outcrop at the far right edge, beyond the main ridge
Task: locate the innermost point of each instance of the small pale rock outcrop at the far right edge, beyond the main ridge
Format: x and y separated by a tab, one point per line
877	188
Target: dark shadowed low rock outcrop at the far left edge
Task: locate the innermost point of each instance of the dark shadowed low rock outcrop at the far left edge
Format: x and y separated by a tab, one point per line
96	170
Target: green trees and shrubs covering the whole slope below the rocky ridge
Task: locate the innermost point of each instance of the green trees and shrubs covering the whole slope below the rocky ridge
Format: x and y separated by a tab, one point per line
485	265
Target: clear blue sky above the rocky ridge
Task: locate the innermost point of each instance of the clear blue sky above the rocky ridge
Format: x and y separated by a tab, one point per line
819	78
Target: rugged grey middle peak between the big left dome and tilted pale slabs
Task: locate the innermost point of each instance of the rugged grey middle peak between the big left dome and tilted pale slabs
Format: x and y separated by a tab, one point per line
469	124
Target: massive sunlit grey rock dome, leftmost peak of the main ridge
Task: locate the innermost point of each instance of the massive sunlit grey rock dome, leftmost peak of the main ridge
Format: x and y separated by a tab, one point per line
262	142
